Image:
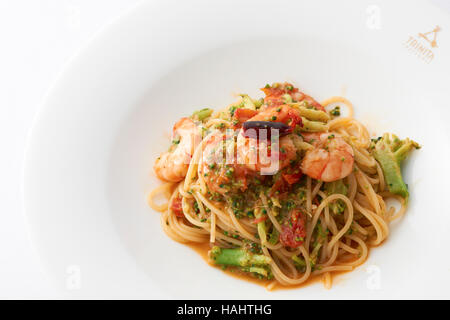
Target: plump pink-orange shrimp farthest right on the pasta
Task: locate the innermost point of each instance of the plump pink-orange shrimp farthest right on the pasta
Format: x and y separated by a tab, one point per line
331	158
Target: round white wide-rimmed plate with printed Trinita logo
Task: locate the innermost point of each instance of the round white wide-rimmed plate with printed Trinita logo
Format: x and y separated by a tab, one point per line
89	160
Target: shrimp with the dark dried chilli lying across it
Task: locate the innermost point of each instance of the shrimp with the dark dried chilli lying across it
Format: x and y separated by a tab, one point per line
264	155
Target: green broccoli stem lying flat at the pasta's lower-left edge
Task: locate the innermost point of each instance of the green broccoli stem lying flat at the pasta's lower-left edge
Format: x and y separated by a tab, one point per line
238	257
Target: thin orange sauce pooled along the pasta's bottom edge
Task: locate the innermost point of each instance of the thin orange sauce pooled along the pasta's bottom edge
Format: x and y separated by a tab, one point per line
203	248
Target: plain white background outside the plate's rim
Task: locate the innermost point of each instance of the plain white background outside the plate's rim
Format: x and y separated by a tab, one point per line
37	39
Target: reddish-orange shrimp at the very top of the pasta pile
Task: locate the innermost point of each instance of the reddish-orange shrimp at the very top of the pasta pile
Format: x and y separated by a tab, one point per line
275	93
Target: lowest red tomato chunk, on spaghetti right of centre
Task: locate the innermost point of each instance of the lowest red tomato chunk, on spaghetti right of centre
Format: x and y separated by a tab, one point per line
293	231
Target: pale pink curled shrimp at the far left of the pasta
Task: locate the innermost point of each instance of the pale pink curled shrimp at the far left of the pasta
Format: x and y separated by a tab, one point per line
173	165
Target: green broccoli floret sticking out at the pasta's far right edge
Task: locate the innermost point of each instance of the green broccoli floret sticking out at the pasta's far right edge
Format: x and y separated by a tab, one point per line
390	151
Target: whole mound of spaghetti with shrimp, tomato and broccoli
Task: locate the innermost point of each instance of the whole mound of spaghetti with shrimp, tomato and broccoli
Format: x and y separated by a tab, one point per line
281	188
